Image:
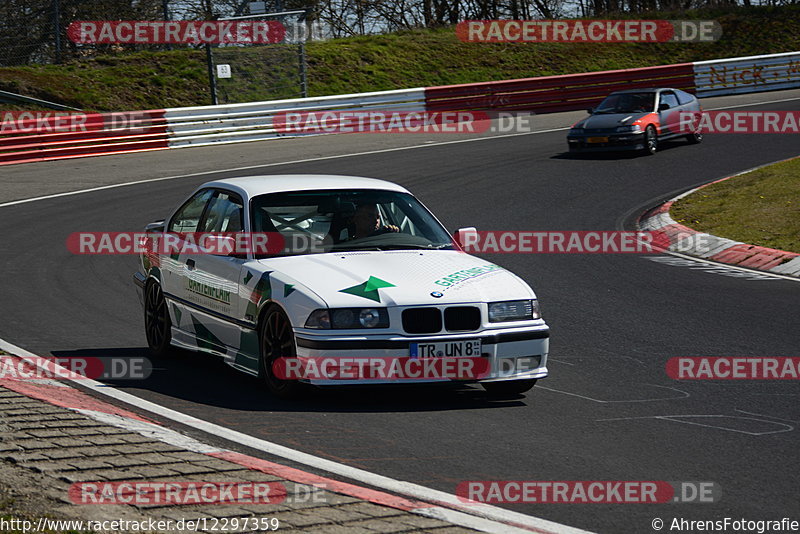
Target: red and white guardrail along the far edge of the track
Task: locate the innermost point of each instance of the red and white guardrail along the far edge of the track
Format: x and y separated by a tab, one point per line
238	123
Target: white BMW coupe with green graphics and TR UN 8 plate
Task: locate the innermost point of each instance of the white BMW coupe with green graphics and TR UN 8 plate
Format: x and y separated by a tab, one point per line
350	269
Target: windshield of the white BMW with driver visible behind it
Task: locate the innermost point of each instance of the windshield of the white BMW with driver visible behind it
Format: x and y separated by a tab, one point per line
348	220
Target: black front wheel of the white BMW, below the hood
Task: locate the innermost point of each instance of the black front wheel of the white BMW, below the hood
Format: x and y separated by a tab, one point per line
276	340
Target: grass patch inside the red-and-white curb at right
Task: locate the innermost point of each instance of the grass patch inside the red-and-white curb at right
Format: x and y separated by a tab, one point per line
760	208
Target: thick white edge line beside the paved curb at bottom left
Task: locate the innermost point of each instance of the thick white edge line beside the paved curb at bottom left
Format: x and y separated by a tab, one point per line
455	506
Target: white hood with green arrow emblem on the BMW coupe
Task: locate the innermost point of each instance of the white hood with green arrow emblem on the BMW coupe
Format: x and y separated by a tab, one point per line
401	278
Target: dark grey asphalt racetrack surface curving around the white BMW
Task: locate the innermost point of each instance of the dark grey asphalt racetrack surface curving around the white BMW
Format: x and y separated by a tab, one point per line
615	320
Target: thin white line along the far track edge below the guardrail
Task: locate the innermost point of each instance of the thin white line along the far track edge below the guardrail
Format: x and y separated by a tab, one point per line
275	164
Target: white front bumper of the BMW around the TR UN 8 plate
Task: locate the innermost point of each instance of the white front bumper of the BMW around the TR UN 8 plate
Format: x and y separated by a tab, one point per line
510	354
